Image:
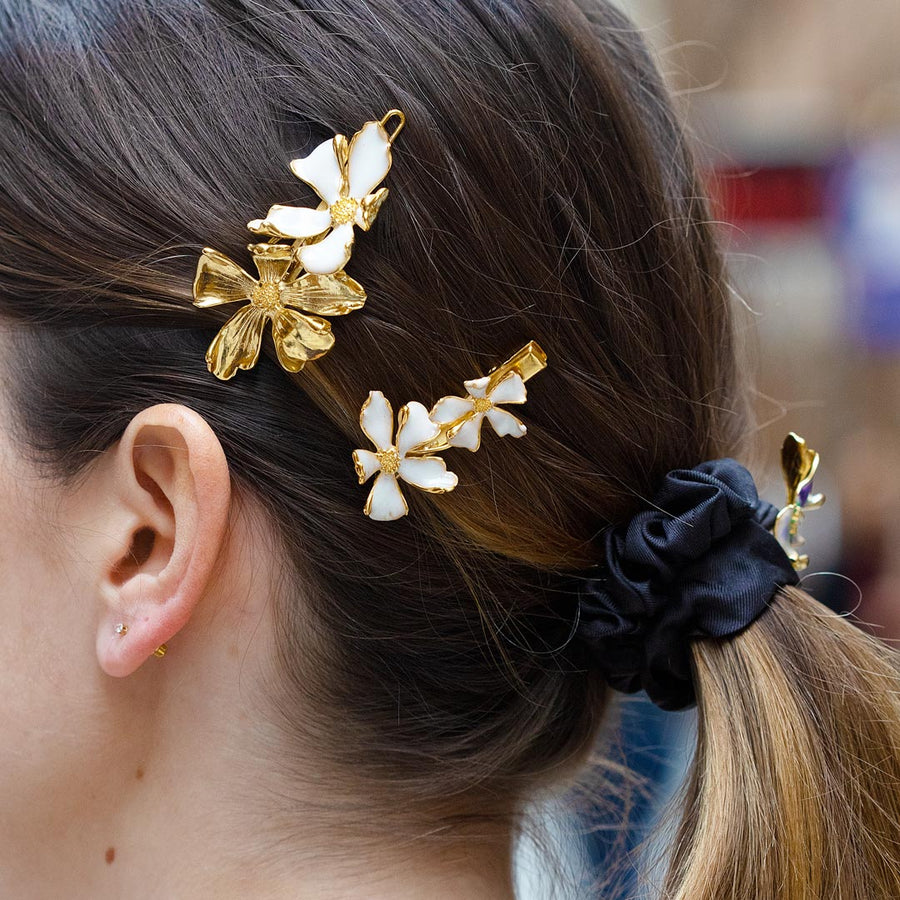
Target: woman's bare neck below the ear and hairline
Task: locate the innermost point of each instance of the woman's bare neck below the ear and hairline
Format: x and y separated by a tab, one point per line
175	799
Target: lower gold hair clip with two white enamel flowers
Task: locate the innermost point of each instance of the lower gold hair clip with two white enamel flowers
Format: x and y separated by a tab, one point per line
453	422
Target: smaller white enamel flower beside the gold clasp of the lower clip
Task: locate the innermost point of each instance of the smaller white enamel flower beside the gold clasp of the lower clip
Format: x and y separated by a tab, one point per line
479	404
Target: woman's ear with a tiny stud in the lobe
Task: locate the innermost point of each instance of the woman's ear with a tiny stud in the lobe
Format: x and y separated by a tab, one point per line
170	492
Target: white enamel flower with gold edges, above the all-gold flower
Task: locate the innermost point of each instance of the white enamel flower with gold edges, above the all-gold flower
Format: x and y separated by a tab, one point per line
345	177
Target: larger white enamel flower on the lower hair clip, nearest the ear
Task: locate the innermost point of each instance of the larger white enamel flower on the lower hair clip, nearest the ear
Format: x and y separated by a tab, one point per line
392	460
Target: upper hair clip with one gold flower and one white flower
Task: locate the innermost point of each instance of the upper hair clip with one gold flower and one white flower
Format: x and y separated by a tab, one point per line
345	174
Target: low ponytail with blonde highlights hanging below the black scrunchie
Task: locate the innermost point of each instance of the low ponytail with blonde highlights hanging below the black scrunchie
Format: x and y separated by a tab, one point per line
795	789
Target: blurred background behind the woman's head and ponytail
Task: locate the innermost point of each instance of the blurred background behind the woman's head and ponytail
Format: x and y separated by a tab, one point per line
794	107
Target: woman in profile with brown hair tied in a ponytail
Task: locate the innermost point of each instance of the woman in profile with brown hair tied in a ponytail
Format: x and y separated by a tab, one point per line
346	707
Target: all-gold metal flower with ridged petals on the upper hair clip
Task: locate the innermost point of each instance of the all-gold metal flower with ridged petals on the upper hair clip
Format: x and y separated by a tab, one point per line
277	296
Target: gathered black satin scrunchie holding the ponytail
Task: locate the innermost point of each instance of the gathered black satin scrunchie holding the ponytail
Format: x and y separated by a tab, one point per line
703	563
